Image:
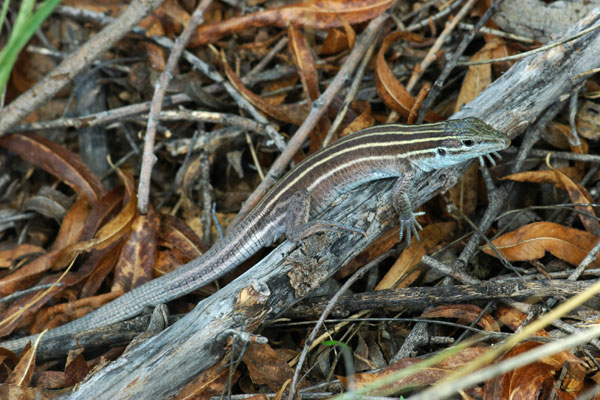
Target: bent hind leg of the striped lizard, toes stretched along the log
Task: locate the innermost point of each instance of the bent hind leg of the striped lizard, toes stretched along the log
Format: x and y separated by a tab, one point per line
296	220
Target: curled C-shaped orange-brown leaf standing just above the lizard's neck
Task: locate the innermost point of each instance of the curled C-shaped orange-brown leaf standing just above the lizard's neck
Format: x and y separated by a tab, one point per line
393	93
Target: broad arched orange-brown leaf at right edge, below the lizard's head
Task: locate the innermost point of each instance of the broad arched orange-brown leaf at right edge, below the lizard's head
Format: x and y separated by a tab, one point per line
531	242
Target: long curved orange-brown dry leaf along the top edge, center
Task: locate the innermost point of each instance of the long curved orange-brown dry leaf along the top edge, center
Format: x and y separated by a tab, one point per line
317	14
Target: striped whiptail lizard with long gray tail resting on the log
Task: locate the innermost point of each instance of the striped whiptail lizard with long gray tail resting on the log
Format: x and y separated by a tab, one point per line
402	151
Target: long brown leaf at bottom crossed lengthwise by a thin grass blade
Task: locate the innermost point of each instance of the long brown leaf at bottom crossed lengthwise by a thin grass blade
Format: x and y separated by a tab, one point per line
426	376
